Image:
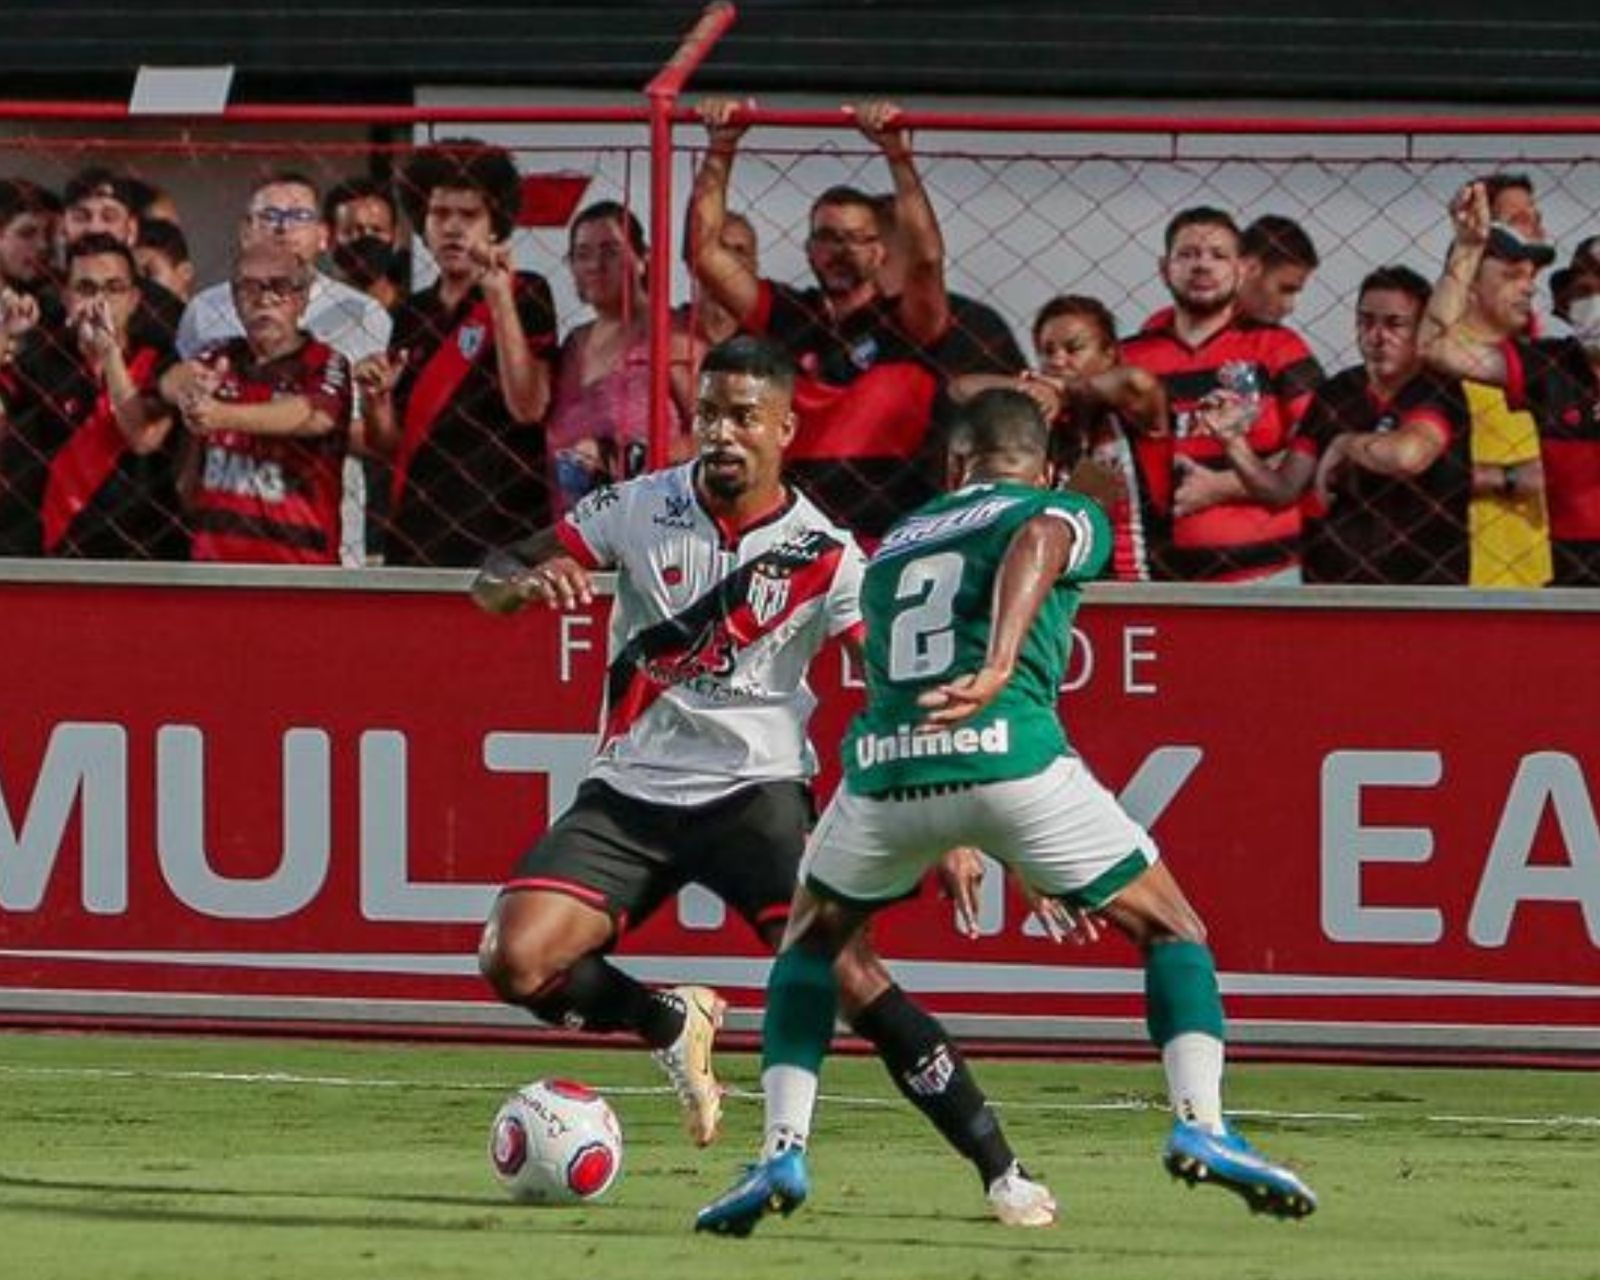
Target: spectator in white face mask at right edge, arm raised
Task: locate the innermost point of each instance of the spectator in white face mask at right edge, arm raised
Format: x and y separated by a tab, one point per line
1554	378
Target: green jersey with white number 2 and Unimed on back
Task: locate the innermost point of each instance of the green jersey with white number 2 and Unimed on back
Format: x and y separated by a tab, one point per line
927	601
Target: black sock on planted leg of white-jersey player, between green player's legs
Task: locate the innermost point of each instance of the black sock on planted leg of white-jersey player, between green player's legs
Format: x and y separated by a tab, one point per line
934	1076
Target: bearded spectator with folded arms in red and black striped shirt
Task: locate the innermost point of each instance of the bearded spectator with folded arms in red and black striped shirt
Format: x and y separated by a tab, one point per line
1230	518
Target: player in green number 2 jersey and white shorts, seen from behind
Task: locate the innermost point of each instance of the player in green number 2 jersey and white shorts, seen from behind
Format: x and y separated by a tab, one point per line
969	606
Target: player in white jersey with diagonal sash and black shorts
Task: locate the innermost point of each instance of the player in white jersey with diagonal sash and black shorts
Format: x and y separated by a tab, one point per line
727	585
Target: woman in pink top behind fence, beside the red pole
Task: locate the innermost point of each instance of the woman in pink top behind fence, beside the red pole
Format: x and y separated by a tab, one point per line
599	425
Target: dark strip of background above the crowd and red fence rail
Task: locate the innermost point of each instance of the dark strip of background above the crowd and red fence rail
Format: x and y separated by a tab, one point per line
377	50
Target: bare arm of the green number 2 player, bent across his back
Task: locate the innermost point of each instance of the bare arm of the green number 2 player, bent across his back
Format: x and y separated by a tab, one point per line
1036	559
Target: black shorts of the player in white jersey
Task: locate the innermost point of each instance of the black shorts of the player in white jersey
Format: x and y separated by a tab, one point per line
626	857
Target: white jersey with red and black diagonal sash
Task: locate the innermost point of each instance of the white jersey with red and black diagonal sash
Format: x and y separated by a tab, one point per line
713	631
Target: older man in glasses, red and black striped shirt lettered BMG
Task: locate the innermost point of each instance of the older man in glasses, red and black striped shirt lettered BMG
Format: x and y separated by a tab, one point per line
270	417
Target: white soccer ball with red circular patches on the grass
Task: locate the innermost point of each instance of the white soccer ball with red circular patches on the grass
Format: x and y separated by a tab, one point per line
556	1143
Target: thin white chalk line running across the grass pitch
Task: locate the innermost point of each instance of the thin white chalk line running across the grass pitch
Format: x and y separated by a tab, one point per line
1129	1105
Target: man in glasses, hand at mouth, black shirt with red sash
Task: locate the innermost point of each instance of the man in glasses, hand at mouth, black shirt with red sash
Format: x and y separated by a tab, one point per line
84	466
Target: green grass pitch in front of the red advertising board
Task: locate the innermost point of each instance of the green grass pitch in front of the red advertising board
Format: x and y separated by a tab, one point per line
126	1158
